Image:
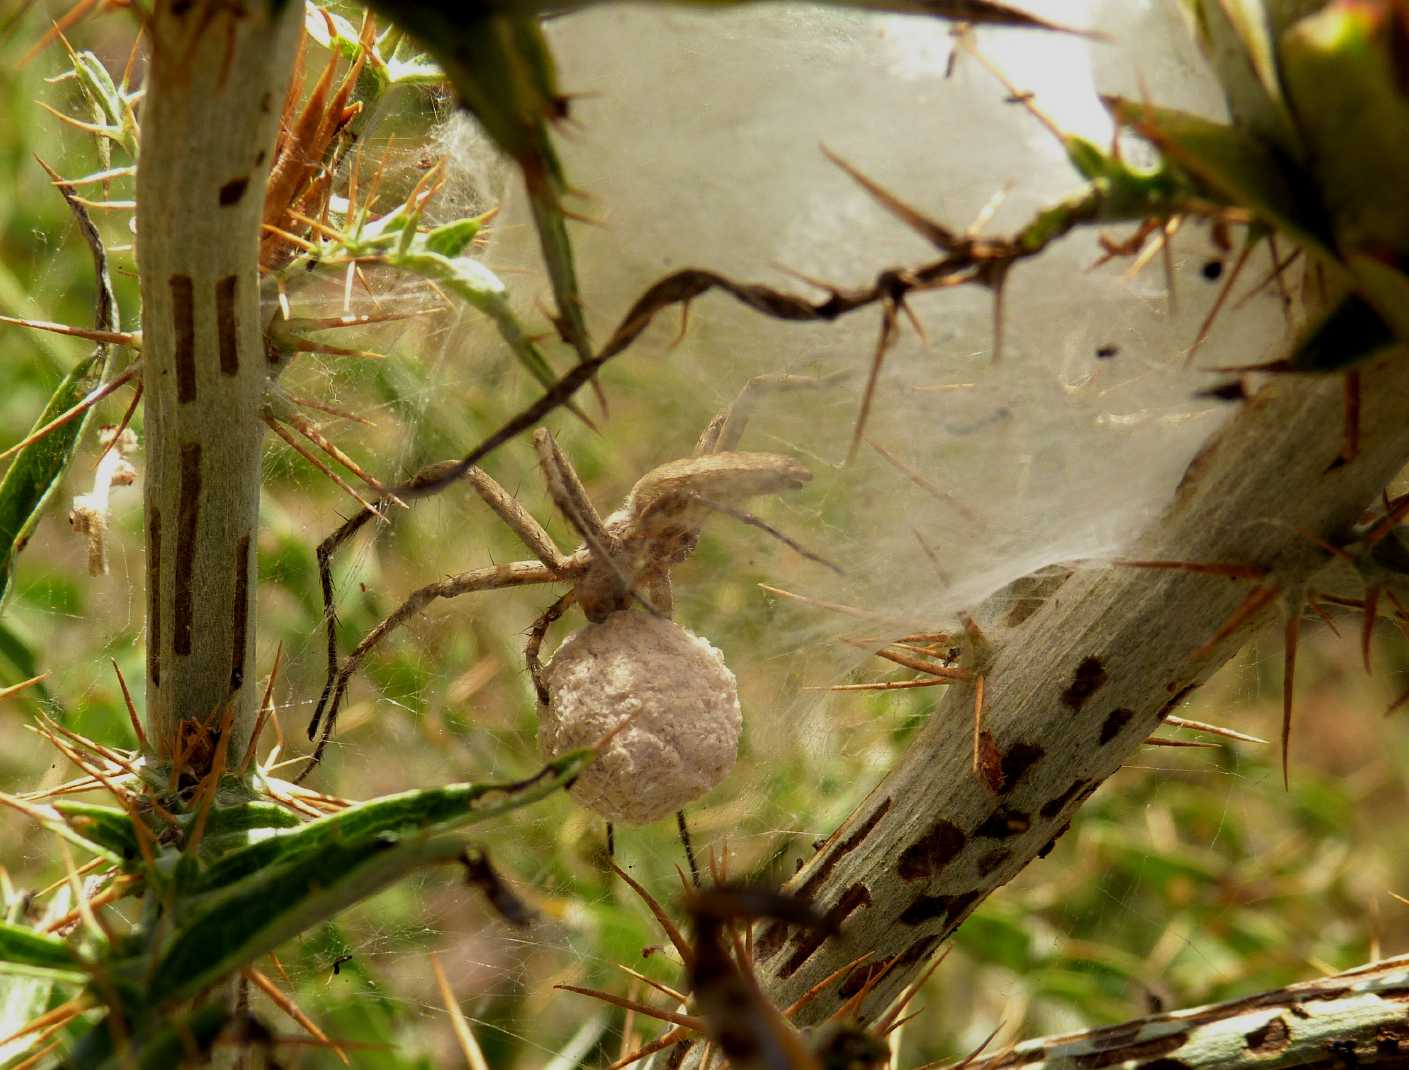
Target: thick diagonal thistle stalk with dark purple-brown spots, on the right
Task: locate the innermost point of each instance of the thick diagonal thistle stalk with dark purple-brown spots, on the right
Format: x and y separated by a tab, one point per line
1074	689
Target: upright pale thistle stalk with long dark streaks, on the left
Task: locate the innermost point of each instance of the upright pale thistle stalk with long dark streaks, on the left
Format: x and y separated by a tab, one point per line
211	115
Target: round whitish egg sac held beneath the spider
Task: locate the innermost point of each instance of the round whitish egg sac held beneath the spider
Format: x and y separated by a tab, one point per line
678	697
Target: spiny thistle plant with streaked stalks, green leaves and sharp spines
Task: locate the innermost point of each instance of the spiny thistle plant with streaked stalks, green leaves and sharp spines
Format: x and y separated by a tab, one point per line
252	192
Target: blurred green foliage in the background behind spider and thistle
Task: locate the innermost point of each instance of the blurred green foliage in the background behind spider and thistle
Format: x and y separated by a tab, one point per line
1190	878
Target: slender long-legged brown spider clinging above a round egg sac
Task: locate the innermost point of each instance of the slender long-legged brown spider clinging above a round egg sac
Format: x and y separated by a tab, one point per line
625	559
